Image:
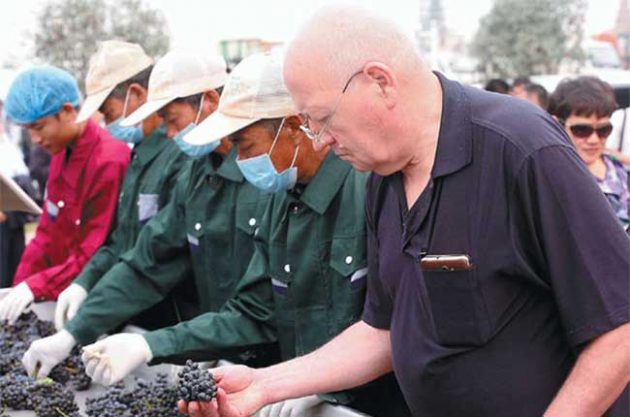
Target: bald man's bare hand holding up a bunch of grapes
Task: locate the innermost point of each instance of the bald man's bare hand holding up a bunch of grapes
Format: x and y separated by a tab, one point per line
239	395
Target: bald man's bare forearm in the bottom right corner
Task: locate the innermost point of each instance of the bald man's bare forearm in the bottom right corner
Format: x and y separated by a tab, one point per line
600	375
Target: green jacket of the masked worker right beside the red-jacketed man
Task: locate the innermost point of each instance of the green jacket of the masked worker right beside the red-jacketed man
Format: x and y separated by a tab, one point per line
156	162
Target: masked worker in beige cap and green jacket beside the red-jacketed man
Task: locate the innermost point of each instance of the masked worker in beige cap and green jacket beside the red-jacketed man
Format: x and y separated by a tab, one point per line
117	71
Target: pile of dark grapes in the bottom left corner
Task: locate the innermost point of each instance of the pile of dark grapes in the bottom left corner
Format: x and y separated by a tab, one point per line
50	397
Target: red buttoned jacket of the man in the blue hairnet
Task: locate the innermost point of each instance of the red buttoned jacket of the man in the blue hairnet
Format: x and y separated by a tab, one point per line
79	208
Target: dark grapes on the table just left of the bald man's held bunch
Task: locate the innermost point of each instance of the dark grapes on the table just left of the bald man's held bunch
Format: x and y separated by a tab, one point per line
145	399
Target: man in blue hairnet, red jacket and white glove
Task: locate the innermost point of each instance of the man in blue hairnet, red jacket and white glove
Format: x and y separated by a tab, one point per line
86	172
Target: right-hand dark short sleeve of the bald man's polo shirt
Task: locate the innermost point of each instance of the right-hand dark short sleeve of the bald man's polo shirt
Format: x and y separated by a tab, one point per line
566	234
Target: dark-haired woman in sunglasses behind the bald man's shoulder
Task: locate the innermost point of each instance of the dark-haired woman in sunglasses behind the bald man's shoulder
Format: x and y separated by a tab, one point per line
584	106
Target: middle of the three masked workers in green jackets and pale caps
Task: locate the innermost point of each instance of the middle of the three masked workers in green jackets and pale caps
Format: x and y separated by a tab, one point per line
205	232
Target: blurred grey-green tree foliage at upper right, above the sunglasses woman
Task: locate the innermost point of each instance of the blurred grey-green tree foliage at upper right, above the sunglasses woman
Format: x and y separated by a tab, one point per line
529	37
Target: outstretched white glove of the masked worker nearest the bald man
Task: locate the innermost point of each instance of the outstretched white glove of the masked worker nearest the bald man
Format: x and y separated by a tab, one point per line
113	358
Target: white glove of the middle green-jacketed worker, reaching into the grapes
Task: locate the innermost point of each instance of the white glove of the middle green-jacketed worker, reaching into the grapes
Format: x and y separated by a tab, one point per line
44	354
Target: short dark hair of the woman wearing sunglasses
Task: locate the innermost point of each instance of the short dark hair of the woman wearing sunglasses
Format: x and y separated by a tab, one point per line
582	96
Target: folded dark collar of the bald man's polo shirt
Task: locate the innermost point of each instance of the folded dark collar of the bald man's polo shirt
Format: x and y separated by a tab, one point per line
454	150
